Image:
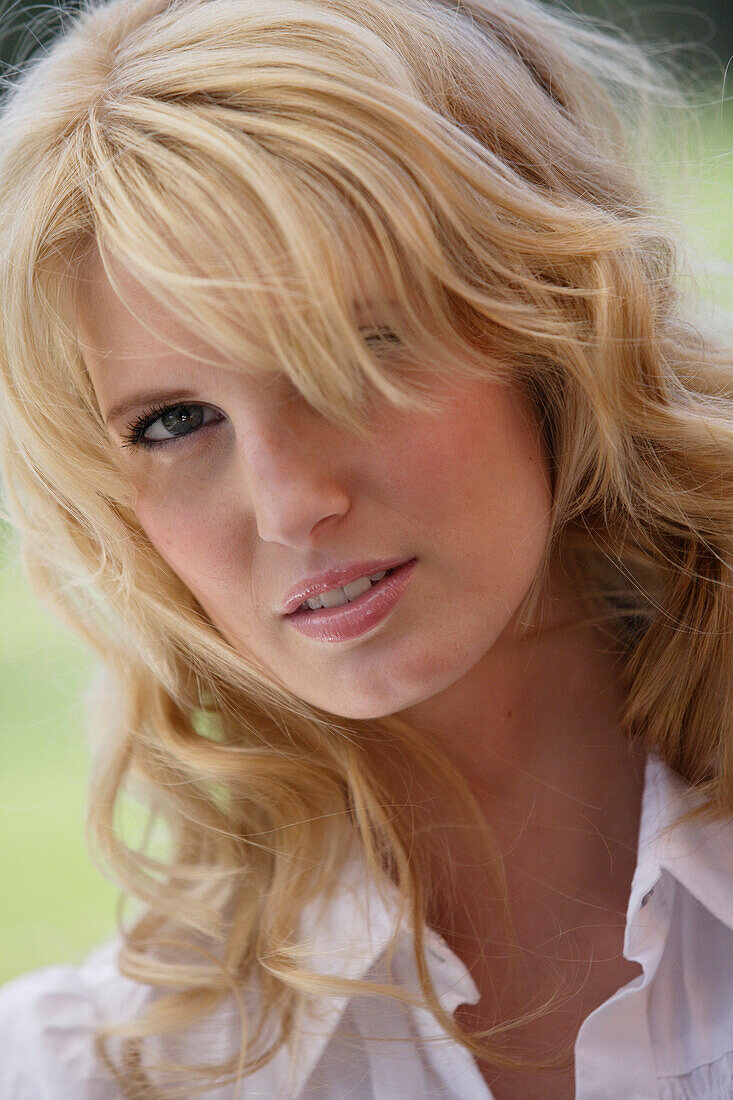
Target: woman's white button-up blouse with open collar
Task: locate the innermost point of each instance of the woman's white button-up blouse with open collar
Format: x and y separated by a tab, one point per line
668	1035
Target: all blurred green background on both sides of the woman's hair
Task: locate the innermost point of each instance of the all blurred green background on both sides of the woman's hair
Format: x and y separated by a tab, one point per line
56	905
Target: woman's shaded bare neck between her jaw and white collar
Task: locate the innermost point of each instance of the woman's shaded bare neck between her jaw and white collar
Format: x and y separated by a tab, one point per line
535	731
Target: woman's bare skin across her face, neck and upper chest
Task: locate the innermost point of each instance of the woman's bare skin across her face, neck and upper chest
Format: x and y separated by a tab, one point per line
245	508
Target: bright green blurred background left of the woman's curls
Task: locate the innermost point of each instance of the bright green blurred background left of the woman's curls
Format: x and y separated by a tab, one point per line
54	903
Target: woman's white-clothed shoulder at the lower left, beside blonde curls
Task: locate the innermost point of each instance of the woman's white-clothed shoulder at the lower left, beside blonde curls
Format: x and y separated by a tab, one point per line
48	1018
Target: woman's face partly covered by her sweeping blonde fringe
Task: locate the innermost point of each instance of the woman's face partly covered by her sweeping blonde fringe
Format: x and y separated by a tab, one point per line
258	491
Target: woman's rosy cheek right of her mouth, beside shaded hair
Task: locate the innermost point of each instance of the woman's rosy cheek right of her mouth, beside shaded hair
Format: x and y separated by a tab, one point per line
480	482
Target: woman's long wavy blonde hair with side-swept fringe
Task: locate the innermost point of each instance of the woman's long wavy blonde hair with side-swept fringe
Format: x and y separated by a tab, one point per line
242	159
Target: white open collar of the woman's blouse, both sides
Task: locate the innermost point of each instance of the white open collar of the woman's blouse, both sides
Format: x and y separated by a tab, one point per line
351	930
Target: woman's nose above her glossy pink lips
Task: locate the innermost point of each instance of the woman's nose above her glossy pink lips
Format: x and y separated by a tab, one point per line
294	479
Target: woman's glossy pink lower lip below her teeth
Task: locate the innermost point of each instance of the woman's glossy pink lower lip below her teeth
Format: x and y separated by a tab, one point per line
353	620
